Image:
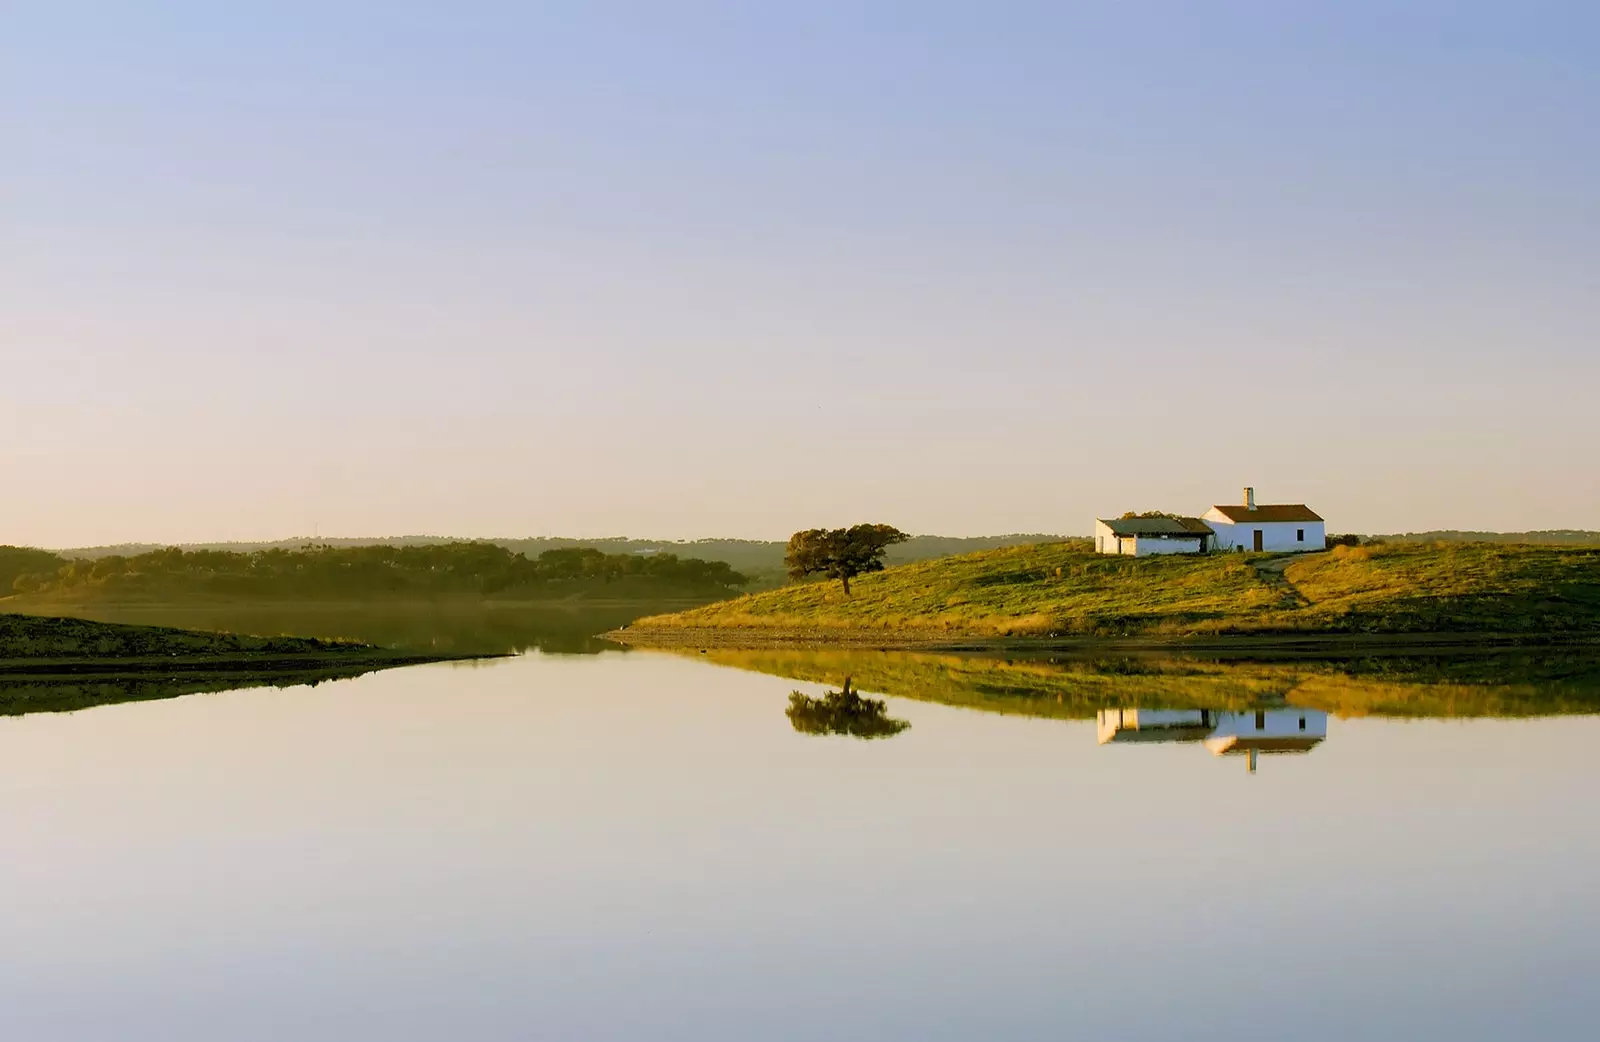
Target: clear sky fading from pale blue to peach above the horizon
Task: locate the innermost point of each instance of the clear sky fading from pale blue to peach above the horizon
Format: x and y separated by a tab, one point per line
690	270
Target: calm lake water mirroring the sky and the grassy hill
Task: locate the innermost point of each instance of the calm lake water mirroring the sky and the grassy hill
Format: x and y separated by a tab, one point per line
642	846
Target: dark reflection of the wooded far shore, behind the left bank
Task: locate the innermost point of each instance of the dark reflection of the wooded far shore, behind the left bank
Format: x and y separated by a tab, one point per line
462	628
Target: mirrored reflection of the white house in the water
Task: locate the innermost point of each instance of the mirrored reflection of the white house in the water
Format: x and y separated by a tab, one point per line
1225	732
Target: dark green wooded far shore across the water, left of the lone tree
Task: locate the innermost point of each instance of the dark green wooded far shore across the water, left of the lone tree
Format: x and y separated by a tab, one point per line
361	571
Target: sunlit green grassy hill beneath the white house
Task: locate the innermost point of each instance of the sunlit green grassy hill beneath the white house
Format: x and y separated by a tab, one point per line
1063	591
